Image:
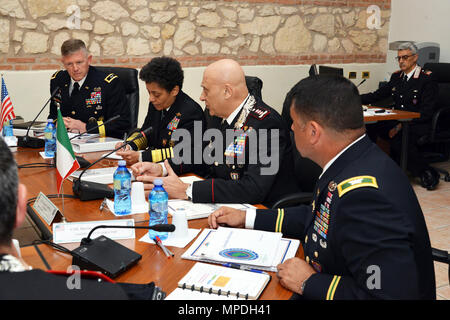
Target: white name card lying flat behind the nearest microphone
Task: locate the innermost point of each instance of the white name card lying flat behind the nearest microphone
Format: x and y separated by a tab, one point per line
75	231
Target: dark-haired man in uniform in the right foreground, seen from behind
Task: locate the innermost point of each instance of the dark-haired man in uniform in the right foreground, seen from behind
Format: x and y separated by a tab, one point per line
364	235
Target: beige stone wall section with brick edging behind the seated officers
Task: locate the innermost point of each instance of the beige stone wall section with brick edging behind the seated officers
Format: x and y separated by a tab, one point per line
130	32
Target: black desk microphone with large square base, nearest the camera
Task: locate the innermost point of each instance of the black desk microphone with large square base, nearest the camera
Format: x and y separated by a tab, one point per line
108	256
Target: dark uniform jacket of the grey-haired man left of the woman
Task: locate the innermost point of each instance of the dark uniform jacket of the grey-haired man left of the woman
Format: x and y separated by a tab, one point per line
101	97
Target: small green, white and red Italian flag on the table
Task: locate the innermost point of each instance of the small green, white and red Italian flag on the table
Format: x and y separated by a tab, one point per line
66	163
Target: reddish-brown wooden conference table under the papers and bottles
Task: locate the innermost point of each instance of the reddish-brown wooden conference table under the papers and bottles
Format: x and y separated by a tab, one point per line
154	265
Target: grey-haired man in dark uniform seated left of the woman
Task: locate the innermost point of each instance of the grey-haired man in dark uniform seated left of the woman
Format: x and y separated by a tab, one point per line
88	97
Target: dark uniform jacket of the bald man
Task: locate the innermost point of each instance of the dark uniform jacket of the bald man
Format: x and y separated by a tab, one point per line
238	180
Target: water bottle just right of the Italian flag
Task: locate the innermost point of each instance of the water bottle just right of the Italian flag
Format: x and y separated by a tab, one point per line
122	189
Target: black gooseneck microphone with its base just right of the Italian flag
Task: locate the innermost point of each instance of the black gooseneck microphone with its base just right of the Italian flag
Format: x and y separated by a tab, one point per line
87	190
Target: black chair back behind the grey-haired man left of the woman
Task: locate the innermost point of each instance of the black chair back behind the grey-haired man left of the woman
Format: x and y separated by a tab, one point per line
129	79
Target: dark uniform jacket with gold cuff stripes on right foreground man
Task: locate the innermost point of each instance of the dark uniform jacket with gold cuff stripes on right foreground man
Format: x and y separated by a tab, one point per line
364	233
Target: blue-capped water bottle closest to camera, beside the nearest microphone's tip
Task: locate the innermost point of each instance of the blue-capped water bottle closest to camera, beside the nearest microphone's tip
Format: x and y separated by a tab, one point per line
157	200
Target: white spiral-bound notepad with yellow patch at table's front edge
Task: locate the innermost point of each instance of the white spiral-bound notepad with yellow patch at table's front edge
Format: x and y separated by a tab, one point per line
212	282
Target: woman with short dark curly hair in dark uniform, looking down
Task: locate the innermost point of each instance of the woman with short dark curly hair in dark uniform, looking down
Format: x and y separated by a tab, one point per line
169	109
